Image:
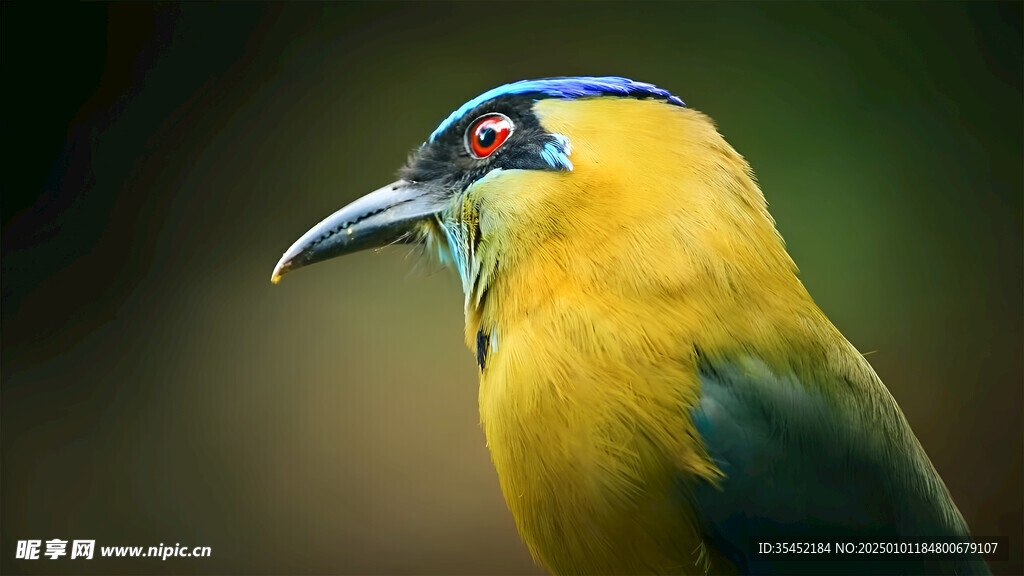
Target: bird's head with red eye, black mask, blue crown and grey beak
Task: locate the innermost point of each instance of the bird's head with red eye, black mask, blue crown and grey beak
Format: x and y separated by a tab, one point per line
596	182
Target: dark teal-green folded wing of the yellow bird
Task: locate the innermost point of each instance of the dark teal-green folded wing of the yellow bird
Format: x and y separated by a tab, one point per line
803	466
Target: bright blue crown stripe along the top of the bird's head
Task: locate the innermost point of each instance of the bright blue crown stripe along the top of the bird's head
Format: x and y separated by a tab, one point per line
571	88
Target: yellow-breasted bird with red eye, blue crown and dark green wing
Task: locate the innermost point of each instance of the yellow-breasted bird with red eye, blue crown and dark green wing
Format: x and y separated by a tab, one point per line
659	392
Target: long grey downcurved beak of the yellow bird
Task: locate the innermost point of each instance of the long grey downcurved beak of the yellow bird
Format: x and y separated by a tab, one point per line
381	218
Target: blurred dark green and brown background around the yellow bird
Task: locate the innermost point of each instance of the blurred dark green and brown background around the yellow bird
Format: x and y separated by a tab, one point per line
157	389
